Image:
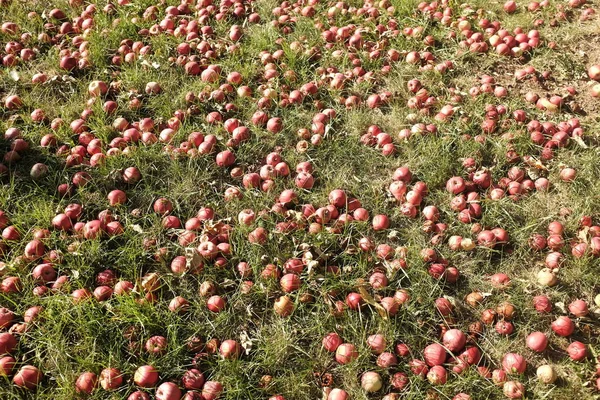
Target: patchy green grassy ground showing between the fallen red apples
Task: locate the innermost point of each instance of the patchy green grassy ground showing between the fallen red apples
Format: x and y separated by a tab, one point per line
71	338
